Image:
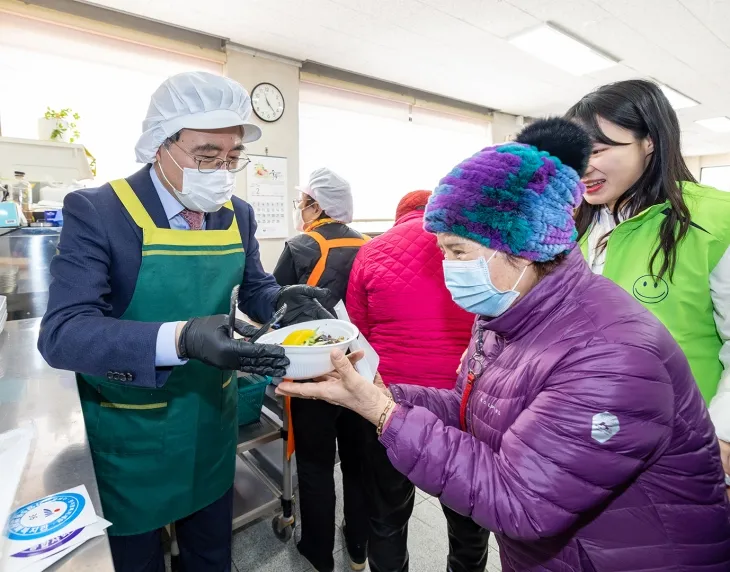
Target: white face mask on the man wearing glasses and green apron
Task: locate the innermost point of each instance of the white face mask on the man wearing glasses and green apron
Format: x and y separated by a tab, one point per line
203	192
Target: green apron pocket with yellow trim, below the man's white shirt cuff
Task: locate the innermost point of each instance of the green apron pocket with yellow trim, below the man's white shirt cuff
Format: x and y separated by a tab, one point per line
131	421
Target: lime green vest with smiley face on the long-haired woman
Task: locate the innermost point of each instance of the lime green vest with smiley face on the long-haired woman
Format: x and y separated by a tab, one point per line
683	304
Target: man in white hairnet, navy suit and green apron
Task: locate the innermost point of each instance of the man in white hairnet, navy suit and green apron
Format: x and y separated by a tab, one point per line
141	285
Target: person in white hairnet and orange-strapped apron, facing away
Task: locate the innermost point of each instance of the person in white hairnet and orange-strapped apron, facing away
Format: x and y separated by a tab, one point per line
322	256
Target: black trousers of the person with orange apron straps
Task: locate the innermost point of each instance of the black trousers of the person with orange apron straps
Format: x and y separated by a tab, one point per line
320	429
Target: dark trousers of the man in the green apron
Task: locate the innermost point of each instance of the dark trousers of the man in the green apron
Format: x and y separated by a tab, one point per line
204	539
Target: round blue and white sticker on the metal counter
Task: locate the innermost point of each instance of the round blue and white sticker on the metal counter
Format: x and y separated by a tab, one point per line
44	517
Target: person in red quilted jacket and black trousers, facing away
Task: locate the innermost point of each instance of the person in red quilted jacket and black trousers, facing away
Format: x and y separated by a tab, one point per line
398	300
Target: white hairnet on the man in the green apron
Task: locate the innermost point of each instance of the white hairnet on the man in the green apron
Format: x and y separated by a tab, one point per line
194	100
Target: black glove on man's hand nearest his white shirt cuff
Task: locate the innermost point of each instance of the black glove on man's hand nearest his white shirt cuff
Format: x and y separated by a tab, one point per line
208	340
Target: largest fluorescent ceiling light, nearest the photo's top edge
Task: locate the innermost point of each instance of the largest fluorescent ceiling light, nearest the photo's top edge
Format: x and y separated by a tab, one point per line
561	50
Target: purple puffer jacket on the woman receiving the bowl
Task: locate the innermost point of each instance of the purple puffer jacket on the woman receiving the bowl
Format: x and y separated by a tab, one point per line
588	446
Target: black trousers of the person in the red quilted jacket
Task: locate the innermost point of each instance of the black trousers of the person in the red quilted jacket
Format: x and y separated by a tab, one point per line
391	498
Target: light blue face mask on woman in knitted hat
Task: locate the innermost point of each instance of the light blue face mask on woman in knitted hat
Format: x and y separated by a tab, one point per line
472	288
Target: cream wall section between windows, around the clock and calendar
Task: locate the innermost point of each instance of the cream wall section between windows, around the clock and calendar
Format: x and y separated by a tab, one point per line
279	139
